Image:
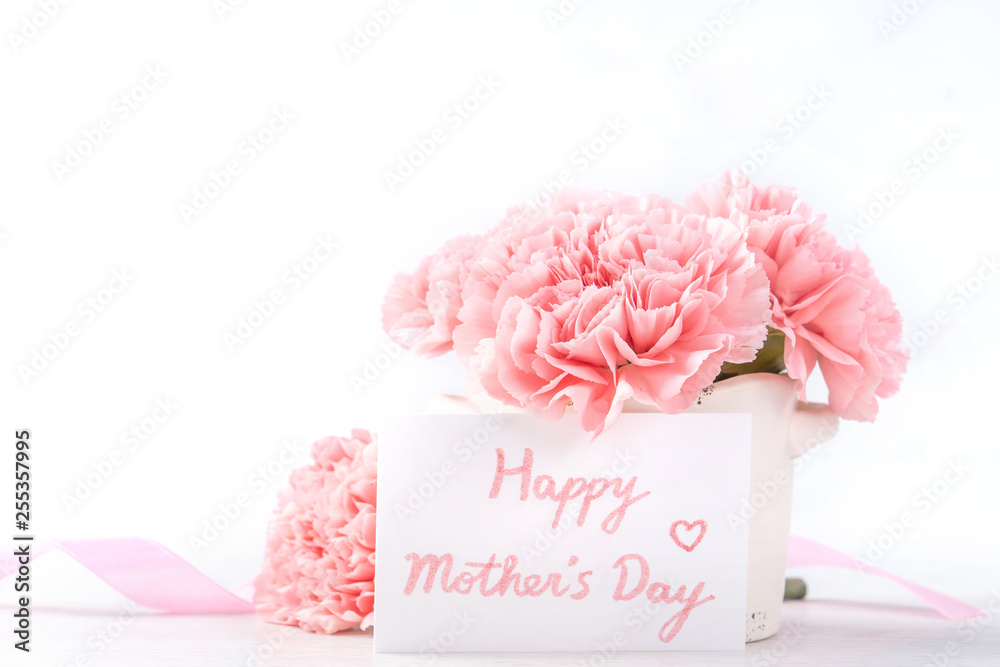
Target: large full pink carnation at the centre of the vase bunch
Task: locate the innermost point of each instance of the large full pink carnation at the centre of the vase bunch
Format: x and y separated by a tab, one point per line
610	299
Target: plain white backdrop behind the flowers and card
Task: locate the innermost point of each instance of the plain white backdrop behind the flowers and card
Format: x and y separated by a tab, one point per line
163	336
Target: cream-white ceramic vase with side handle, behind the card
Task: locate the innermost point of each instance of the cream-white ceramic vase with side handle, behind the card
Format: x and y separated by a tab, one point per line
783	429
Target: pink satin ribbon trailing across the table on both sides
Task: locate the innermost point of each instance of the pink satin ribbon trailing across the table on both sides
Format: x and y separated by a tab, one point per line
151	575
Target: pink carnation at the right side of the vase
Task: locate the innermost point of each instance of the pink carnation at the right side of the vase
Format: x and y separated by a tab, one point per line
835	314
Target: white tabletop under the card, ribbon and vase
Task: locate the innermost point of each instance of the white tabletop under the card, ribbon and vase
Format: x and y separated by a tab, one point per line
814	632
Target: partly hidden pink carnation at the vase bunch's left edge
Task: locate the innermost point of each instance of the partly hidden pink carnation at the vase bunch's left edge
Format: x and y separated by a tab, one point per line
420	309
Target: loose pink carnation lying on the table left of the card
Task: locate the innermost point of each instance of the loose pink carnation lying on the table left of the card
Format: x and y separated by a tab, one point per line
319	567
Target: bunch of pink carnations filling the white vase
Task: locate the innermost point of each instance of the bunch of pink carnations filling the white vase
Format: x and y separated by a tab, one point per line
599	298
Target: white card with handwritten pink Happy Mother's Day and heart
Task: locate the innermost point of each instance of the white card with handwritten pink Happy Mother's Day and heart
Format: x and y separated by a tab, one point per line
509	533
